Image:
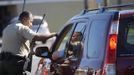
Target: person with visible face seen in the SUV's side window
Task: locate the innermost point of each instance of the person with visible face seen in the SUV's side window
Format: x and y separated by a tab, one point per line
75	46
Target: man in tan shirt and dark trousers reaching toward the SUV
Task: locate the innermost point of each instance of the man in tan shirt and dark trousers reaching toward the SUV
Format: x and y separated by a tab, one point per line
16	45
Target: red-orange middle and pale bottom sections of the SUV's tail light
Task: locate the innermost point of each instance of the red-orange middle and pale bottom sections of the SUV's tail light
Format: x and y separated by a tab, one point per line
109	66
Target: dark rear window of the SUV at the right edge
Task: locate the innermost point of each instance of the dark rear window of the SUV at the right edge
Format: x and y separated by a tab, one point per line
126	37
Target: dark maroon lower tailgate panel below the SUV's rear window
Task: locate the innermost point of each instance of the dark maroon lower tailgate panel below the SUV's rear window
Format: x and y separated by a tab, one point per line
125	65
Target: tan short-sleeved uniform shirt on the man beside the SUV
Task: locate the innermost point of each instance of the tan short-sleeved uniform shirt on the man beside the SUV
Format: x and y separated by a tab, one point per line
16	39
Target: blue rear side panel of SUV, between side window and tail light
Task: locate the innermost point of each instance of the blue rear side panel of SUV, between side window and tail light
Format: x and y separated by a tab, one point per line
96	40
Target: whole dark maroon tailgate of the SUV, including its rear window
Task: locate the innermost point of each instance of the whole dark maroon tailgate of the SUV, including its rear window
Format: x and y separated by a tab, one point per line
125	48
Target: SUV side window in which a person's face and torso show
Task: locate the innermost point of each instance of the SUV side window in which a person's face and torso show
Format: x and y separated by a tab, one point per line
76	41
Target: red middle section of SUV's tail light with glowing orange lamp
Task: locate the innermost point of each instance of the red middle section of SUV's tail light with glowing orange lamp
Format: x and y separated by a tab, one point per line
111	56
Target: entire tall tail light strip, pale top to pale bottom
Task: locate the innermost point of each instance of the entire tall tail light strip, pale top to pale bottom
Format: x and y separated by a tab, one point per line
109	67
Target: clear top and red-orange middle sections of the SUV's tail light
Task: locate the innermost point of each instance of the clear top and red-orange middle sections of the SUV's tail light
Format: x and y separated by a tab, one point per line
112	43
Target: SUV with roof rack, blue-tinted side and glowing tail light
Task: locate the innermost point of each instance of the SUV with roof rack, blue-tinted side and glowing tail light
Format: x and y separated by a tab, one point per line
108	44
